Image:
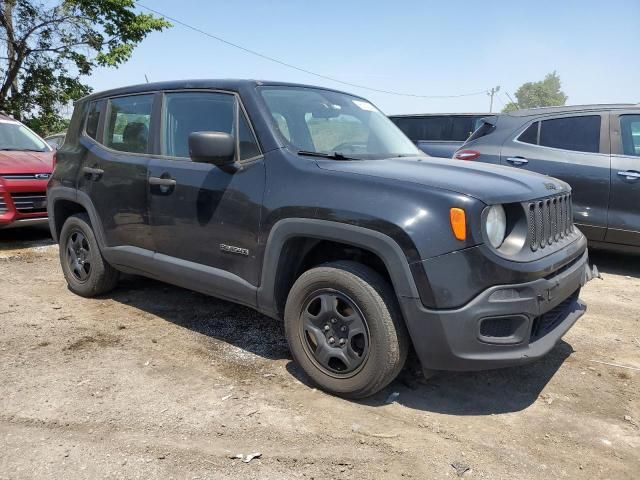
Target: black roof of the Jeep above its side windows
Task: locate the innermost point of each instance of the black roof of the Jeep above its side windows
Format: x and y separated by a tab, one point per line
233	85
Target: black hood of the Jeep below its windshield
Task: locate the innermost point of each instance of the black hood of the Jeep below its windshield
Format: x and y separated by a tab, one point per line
488	183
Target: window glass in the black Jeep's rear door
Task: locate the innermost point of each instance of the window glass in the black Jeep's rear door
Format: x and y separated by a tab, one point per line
128	123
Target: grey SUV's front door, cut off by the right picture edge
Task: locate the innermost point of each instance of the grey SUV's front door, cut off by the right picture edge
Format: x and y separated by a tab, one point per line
624	209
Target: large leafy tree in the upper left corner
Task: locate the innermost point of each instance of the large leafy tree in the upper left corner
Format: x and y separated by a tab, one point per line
51	46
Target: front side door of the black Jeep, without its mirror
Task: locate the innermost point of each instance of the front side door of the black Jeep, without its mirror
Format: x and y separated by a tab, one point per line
206	216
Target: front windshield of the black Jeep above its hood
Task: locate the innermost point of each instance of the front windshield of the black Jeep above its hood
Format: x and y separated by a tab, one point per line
326	122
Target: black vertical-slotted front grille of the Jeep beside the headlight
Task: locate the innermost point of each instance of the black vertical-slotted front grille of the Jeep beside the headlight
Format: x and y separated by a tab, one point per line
550	220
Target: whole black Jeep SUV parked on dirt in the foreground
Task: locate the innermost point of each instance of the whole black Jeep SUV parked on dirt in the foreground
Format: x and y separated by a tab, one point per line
309	205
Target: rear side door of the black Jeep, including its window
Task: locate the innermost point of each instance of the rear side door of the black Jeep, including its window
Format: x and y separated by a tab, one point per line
114	172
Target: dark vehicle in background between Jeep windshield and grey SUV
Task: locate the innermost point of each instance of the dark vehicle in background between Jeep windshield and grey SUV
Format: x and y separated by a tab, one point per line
439	135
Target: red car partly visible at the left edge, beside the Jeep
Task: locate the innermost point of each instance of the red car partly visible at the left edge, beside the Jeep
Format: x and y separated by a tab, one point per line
26	163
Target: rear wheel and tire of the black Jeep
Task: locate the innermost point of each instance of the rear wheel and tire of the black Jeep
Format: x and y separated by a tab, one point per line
87	273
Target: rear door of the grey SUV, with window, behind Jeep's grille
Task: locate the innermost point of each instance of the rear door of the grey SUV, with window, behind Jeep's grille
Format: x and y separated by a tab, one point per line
573	148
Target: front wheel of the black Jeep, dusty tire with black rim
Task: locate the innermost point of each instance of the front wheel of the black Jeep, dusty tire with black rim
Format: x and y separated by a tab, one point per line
344	329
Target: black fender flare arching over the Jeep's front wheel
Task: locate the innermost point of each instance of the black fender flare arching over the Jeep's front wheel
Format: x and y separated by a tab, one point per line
376	242
